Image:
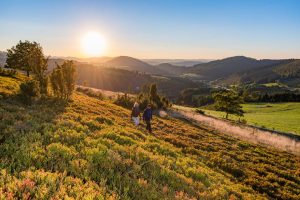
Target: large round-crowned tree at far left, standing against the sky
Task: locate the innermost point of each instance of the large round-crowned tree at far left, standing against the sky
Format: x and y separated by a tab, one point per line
27	56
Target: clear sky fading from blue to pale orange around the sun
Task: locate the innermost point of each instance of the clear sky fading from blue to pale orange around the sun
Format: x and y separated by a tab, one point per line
156	28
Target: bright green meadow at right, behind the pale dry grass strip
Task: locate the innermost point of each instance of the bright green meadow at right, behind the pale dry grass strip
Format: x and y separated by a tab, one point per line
276	116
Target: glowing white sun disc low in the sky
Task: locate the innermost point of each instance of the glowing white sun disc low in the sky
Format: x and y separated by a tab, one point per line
93	44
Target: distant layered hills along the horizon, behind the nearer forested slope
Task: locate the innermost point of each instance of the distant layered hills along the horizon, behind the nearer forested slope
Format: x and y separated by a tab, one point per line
237	69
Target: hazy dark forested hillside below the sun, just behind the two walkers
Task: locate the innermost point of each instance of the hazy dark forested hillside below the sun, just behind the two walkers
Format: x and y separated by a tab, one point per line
122	80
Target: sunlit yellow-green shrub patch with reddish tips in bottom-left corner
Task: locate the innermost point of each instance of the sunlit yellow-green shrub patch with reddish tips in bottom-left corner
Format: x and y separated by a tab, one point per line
40	184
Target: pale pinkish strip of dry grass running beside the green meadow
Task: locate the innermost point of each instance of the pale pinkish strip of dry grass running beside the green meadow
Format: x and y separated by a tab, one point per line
246	133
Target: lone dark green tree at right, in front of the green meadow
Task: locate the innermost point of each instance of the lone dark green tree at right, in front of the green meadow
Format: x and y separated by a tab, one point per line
229	102
